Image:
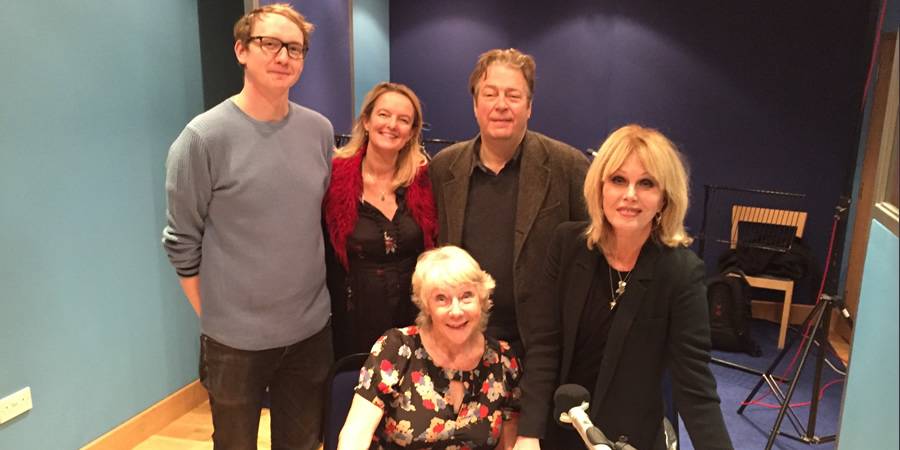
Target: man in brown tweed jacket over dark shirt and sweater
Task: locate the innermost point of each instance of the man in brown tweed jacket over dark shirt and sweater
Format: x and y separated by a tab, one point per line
501	195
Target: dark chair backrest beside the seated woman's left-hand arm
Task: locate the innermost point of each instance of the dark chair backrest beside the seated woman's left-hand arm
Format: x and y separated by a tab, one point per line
343	376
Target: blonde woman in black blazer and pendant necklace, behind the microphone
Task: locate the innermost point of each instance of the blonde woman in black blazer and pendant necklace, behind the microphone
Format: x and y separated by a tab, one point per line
621	300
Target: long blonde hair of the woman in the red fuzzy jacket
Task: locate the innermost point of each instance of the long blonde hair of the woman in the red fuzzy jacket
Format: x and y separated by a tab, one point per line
411	157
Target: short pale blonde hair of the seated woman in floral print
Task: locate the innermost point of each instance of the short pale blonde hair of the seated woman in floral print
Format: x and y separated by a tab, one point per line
445	267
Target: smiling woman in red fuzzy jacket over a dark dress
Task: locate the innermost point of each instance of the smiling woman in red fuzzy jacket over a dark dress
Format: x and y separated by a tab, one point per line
380	216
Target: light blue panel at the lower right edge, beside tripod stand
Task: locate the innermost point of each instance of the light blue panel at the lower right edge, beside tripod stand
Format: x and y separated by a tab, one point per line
869	417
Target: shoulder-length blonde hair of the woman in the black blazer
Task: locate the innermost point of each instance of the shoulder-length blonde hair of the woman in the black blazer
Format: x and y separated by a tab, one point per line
662	161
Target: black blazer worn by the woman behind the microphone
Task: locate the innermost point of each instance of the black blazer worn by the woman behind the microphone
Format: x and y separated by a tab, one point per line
662	322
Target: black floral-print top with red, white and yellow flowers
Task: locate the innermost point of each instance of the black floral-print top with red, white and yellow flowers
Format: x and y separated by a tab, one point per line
401	379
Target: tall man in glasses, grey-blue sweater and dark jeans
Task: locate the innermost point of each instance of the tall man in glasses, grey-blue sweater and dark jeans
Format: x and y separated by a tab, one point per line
245	182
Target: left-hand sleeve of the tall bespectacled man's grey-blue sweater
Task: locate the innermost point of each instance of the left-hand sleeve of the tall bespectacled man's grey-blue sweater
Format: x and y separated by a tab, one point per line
188	192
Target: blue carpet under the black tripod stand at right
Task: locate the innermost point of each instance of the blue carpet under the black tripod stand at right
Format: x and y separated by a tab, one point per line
751	429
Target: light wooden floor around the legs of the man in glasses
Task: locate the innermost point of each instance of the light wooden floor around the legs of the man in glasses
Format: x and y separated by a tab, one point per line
193	431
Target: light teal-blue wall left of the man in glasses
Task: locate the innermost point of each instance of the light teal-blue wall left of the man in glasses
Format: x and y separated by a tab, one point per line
91	314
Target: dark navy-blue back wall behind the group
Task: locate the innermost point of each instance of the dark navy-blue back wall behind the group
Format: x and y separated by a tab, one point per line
757	94
